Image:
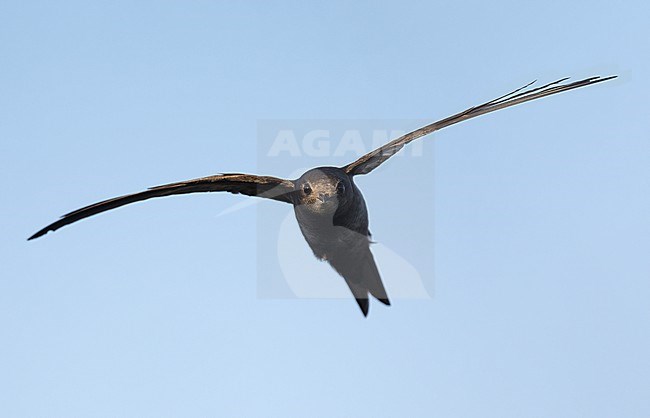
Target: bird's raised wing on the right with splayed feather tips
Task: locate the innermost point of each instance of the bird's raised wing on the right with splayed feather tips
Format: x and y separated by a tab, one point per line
373	159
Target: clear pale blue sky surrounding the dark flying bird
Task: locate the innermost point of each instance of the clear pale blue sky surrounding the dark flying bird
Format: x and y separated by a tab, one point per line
539	221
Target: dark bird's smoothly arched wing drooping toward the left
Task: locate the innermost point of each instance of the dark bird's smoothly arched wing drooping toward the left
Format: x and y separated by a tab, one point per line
247	184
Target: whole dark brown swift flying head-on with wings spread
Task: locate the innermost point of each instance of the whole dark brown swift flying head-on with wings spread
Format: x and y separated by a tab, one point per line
328	206
